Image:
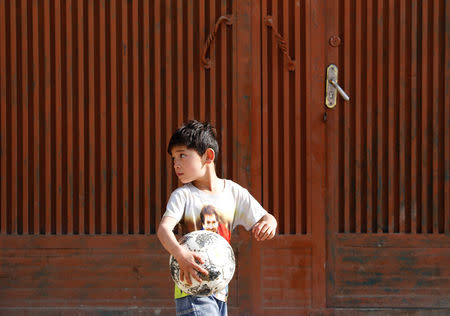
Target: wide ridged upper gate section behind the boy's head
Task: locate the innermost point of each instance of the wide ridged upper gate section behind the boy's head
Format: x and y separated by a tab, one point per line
91	92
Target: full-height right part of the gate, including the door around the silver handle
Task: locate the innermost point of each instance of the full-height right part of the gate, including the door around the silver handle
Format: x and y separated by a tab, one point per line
366	181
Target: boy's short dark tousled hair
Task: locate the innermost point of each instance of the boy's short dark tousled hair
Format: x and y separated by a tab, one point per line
195	135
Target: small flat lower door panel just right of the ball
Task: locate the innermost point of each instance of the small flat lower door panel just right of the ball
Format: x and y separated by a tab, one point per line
283	276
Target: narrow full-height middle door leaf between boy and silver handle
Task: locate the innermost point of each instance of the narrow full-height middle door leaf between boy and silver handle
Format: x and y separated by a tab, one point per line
288	278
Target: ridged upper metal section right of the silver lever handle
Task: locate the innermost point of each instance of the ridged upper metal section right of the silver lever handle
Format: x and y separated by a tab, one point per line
393	132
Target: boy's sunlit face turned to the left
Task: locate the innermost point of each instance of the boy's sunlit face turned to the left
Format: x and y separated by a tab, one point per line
188	164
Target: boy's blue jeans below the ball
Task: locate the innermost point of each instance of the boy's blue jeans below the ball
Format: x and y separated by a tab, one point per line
200	305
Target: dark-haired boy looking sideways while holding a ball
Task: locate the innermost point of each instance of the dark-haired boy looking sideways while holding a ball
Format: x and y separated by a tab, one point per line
194	150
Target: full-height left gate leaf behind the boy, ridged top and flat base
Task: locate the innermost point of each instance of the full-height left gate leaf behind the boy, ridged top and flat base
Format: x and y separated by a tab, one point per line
90	92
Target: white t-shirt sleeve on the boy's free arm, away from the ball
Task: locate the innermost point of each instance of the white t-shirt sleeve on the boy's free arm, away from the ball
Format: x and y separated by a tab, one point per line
248	210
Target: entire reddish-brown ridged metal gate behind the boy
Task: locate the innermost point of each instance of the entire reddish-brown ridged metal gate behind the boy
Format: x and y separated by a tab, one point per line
90	92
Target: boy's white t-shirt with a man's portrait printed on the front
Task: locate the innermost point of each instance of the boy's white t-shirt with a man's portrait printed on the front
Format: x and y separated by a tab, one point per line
232	207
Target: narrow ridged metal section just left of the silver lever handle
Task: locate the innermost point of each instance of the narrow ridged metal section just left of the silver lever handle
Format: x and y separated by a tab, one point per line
285	116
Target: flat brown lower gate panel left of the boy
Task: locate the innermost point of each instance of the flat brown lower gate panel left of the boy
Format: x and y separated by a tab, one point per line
70	272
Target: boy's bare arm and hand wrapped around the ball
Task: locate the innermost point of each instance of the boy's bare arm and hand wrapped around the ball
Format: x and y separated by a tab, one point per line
187	260
